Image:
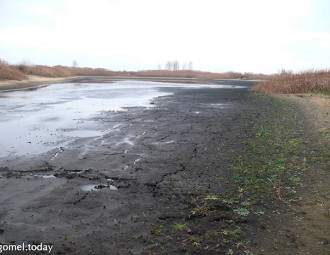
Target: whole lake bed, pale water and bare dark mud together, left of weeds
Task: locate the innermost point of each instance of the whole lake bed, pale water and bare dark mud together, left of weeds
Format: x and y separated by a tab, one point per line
79	160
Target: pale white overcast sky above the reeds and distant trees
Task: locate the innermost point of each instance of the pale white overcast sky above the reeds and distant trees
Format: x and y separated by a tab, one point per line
216	35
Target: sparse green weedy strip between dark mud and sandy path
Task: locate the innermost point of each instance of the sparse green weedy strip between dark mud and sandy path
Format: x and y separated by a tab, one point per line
276	155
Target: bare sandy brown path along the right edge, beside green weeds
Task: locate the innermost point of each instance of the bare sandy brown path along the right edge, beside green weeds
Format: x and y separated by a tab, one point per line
307	222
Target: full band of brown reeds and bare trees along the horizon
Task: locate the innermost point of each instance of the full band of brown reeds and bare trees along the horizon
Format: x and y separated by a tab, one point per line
284	82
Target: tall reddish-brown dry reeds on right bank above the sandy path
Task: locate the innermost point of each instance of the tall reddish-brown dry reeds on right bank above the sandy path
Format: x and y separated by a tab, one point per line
304	82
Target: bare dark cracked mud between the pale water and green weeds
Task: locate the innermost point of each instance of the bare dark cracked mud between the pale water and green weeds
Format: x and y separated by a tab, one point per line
172	140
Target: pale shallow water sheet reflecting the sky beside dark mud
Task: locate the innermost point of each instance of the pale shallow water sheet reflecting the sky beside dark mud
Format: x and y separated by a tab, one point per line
48	118
